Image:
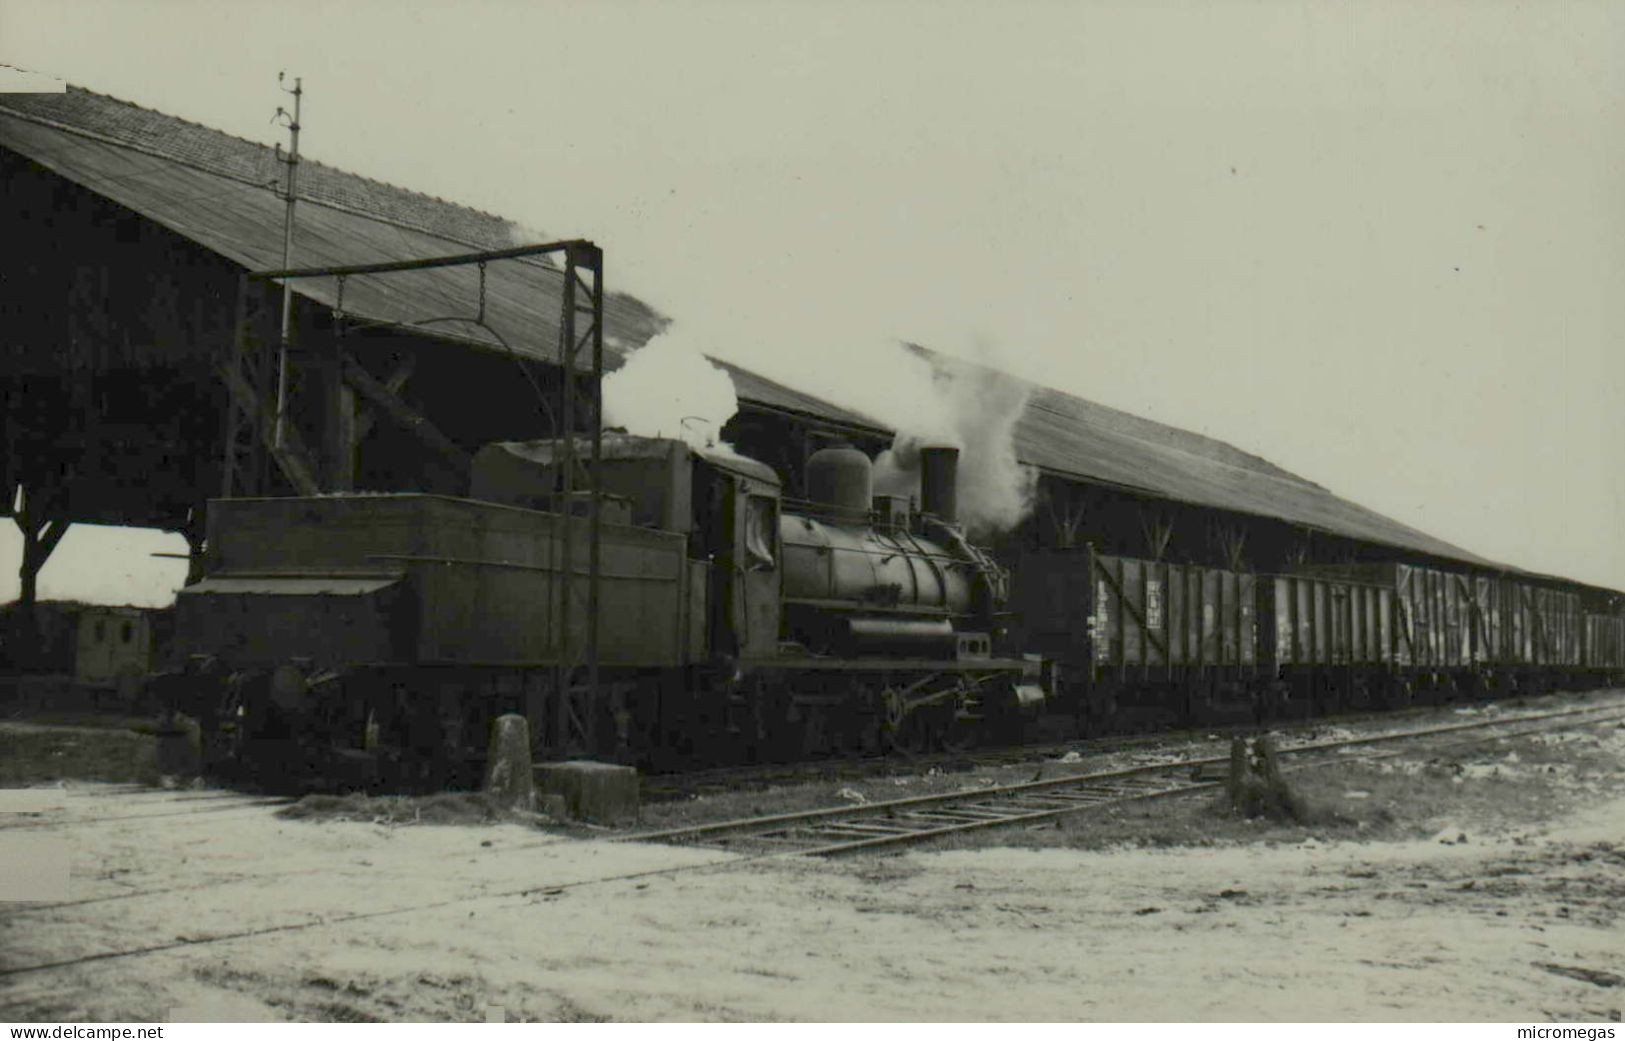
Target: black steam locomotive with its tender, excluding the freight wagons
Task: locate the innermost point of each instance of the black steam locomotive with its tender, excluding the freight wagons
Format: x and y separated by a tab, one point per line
383	633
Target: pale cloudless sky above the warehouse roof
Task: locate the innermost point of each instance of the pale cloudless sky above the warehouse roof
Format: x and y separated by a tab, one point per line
1380	244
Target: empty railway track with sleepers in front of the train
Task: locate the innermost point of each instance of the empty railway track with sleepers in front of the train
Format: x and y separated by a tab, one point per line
916	819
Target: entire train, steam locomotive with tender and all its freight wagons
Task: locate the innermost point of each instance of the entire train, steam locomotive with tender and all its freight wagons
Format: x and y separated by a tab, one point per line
383	633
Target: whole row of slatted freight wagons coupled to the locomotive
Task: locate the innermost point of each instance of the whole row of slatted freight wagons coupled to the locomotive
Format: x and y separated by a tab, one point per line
1145	644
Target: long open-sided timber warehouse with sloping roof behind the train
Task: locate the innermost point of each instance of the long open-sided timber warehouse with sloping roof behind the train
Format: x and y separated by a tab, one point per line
129	235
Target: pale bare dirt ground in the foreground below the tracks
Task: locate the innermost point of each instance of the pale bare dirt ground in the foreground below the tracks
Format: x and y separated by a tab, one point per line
1480	884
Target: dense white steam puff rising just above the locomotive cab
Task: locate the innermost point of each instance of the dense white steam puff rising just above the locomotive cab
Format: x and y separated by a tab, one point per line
670	389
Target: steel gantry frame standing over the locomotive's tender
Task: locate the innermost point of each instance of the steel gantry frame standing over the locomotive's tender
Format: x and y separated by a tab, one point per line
254	439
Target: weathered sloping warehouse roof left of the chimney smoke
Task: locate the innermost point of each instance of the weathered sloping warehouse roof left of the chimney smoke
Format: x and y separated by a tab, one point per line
220	192
